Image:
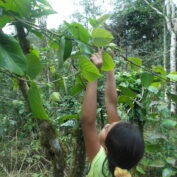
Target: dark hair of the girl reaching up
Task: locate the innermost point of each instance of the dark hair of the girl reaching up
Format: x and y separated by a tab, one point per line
125	146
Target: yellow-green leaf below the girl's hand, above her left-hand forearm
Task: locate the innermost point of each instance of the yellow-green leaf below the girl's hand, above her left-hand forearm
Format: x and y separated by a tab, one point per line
88	69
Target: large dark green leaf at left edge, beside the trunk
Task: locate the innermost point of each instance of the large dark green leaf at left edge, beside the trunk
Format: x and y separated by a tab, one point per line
11	55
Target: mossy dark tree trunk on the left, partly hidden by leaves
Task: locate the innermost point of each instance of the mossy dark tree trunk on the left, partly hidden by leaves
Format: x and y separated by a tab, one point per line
48	133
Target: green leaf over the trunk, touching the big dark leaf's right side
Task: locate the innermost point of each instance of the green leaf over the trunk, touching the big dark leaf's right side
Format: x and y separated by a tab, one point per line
34	66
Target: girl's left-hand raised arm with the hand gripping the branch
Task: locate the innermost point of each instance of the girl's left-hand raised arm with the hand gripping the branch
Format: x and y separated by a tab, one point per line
88	116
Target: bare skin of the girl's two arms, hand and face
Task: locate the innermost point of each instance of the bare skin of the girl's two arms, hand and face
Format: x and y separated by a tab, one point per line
93	140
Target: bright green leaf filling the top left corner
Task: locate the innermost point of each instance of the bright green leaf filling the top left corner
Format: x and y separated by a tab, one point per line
22	7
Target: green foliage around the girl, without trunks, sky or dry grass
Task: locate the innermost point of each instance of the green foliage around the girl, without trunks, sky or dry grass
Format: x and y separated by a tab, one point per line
57	71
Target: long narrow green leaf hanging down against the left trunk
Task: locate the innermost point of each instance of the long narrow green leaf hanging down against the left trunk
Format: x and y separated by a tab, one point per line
35	103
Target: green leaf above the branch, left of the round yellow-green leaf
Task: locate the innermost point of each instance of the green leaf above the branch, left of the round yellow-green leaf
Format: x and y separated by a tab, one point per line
79	32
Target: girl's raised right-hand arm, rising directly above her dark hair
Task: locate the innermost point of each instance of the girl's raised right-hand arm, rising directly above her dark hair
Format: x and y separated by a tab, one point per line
111	97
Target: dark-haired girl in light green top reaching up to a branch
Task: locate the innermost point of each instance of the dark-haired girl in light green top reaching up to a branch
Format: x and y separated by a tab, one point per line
119	146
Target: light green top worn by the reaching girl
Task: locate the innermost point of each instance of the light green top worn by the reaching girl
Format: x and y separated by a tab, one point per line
97	164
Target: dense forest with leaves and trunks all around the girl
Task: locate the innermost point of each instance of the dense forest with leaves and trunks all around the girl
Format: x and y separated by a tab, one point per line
43	75
